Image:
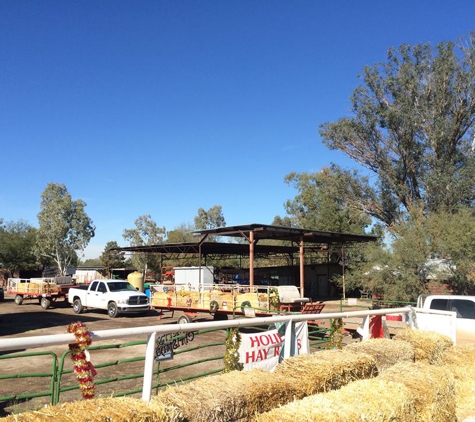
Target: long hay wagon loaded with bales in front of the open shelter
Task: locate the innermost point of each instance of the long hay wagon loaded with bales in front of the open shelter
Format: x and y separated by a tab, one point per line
219	300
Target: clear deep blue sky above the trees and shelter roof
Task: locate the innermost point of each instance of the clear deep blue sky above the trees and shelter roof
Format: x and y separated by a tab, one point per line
162	107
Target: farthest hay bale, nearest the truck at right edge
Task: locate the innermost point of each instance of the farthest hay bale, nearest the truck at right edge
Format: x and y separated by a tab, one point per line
428	346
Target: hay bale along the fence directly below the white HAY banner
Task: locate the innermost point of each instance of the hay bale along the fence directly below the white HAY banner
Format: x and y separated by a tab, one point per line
228	397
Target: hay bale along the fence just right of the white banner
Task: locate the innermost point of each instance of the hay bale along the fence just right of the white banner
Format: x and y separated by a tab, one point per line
327	370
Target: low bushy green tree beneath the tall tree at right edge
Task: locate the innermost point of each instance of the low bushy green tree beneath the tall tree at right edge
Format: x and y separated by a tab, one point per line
439	244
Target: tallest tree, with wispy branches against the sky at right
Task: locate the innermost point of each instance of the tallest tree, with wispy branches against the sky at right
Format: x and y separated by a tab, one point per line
412	132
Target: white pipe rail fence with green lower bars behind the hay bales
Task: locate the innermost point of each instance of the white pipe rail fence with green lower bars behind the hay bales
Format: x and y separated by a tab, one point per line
150	333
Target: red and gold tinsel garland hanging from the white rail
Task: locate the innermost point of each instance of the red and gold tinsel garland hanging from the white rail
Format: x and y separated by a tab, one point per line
83	369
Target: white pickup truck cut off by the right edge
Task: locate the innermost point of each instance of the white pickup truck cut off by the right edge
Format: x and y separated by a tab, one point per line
463	306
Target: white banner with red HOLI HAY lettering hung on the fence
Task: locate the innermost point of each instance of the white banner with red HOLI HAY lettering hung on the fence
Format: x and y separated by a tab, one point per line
267	349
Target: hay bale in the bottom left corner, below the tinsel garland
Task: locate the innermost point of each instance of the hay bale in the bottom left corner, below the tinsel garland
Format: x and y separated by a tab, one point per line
117	409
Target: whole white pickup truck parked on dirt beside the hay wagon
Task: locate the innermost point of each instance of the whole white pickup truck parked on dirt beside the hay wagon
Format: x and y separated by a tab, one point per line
115	296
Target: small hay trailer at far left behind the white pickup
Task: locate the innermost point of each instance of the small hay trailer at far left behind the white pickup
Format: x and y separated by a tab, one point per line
46	290
